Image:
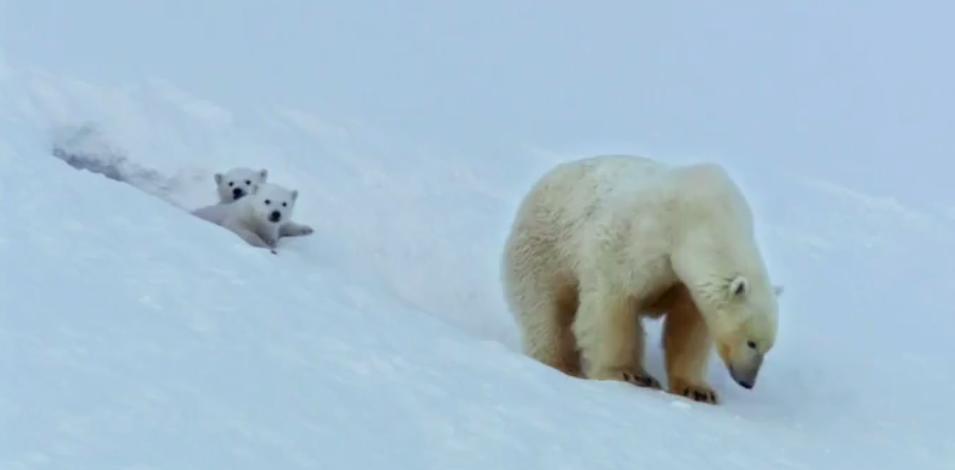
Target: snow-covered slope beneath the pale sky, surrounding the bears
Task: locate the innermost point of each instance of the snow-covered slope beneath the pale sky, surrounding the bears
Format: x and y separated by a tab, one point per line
134	336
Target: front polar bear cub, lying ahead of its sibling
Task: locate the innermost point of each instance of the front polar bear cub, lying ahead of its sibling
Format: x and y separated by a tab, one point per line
256	218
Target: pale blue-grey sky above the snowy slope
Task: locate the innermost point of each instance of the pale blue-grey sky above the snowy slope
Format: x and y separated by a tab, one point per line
855	92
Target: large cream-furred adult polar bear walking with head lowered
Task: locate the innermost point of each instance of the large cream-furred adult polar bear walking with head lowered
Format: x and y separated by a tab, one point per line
599	243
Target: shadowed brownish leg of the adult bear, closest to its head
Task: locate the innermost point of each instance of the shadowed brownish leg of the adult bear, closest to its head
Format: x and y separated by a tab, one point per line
687	342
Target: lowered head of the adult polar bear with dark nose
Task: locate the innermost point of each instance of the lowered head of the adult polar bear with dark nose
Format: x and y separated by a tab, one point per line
743	319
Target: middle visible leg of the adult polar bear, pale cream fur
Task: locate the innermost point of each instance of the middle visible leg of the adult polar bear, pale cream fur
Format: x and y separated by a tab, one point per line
610	338
